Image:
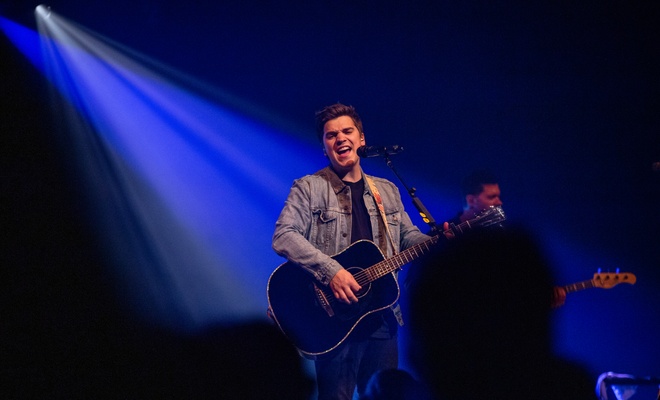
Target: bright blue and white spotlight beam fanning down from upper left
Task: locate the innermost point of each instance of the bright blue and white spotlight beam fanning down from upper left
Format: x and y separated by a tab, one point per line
184	191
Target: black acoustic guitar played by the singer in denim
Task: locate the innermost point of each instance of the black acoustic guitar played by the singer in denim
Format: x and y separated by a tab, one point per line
315	321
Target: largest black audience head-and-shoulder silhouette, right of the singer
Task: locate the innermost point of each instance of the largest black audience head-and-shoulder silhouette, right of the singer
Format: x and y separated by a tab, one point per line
480	323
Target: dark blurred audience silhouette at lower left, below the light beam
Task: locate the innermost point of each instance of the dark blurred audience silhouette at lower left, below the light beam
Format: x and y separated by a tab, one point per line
247	361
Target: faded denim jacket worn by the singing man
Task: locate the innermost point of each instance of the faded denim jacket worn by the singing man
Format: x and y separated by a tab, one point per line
315	222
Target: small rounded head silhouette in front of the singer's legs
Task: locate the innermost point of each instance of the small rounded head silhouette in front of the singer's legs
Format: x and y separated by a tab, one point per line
394	384
